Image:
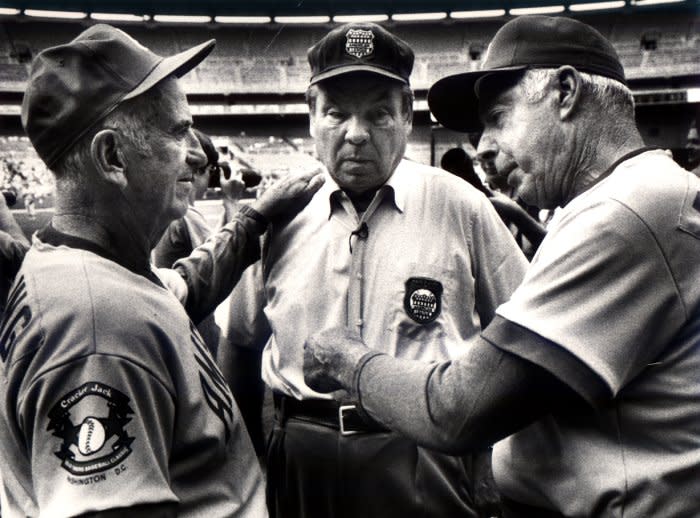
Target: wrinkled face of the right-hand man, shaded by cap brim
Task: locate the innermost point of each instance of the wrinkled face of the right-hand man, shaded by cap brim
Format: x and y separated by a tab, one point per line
529	142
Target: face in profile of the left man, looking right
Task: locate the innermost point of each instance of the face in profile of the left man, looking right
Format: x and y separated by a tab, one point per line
160	177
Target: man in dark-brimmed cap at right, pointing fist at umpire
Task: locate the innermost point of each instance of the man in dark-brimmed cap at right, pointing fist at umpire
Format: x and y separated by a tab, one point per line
590	371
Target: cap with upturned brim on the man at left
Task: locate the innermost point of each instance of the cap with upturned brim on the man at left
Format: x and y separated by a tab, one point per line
73	86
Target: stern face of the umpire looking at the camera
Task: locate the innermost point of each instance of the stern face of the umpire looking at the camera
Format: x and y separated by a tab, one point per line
360	127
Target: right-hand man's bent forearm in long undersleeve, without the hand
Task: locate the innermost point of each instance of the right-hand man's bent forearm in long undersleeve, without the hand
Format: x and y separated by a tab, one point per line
456	406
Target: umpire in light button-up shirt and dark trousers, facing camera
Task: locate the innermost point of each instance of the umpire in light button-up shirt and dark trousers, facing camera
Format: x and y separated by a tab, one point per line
408	256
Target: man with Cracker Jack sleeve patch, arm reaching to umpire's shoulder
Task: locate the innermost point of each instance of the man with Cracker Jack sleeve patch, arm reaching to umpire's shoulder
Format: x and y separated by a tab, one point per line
111	404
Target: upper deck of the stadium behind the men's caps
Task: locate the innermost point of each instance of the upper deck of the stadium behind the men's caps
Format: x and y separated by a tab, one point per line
271	58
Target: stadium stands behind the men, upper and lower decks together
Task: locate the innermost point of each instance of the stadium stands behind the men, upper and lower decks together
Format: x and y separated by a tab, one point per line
268	62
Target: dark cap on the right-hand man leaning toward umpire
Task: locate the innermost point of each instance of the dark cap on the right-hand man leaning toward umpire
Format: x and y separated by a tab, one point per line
522	43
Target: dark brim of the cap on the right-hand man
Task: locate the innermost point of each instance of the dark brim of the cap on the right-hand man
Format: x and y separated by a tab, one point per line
453	100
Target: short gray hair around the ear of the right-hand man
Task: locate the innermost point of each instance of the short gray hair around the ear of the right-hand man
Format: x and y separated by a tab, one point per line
611	95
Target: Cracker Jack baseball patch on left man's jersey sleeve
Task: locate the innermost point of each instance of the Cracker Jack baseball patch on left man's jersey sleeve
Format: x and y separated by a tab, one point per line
91	422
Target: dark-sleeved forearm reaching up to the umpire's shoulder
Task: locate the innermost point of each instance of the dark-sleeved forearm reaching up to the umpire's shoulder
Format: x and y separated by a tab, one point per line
212	269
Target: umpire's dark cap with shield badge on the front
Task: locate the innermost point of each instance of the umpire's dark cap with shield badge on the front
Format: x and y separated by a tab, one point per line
360	47
